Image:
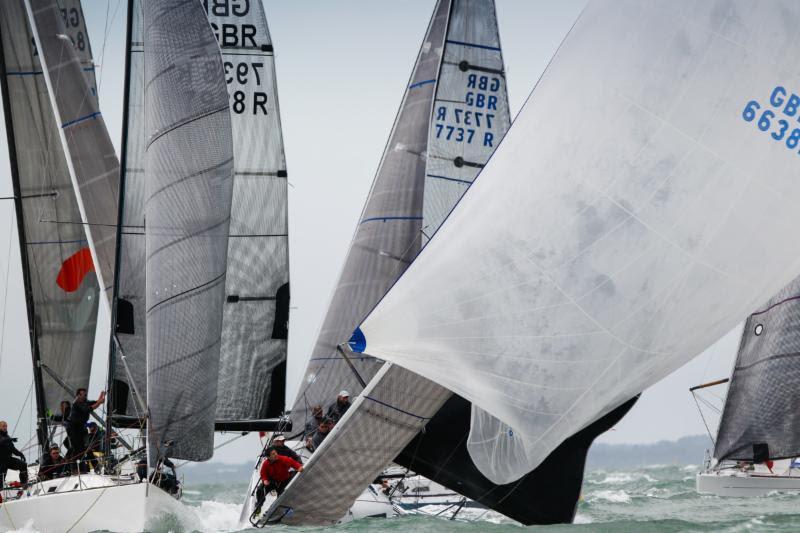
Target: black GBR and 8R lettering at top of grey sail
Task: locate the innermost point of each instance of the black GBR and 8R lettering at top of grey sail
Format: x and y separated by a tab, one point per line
233	28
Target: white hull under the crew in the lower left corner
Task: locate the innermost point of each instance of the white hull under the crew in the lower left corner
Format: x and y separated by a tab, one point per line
91	503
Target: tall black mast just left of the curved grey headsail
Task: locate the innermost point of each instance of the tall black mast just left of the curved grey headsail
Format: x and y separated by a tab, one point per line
112	345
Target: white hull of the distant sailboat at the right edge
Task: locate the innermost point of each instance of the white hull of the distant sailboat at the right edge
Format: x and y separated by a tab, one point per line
745	484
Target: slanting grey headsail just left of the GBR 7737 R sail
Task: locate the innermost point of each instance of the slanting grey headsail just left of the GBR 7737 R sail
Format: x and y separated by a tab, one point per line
387	238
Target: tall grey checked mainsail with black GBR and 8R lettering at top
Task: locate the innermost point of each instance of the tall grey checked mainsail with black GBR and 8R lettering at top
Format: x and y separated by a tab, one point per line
252	372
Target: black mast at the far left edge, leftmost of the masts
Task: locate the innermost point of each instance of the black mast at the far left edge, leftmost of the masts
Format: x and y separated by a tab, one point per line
38	382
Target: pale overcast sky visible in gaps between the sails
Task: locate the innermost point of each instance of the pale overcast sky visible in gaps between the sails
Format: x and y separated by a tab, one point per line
342	67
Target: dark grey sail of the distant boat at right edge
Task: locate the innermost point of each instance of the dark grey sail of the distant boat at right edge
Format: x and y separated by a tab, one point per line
761	416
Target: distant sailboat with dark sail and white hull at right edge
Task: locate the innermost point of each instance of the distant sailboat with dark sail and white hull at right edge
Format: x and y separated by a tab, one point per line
757	444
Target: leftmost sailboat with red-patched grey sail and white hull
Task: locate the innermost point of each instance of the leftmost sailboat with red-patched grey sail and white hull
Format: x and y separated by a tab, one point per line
51	170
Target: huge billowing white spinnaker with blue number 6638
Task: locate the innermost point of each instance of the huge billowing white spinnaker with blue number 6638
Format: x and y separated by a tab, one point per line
656	209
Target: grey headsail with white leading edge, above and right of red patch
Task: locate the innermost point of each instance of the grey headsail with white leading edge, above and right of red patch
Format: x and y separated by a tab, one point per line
91	159
